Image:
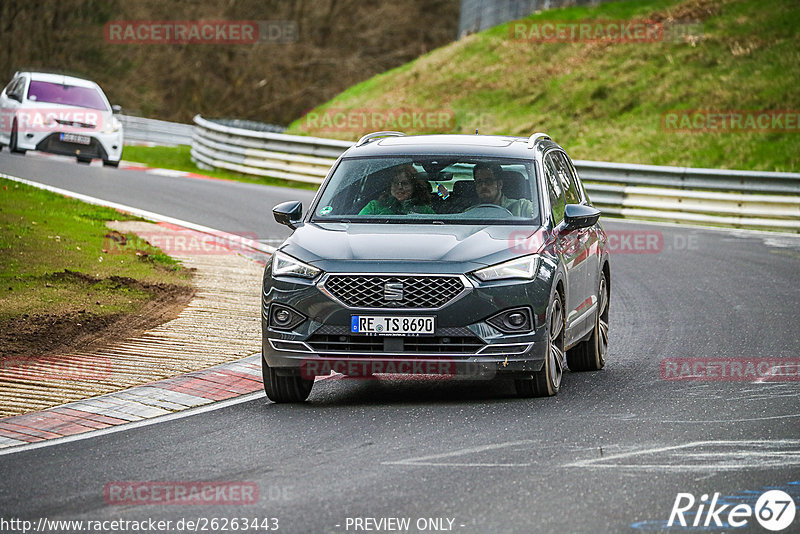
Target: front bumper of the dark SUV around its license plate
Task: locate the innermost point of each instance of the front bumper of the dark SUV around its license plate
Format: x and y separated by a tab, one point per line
463	343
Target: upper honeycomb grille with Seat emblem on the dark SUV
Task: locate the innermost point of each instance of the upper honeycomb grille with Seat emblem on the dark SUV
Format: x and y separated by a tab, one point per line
370	291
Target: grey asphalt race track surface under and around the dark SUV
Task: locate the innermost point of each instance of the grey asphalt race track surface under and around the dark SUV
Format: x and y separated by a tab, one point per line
610	453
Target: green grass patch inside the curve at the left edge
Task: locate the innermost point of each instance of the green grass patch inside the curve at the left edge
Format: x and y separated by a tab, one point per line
55	258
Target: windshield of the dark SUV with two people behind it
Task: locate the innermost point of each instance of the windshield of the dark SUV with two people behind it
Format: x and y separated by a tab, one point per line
424	189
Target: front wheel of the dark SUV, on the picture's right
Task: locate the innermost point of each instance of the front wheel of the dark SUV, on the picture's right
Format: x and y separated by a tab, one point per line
547	381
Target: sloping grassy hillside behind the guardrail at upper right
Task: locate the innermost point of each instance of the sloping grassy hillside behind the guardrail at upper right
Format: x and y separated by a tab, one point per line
604	100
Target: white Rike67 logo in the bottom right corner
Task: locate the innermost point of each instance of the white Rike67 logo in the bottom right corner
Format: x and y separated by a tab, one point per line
774	510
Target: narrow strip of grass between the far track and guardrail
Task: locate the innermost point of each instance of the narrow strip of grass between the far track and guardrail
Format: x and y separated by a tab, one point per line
179	158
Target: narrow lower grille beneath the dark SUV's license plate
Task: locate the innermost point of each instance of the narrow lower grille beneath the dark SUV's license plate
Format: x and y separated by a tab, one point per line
323	343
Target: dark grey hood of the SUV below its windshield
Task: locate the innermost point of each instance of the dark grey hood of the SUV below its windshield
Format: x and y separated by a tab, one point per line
474	245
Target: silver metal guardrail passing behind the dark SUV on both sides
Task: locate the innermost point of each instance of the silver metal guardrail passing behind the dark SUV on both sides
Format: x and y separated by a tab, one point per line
743	199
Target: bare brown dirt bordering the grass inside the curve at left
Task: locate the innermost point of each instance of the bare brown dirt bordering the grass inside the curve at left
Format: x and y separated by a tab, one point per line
70	331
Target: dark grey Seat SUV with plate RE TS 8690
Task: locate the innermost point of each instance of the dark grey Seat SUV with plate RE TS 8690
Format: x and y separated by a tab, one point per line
452	255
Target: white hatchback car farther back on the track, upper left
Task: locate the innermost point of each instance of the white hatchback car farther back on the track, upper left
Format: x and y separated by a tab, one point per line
61	115
